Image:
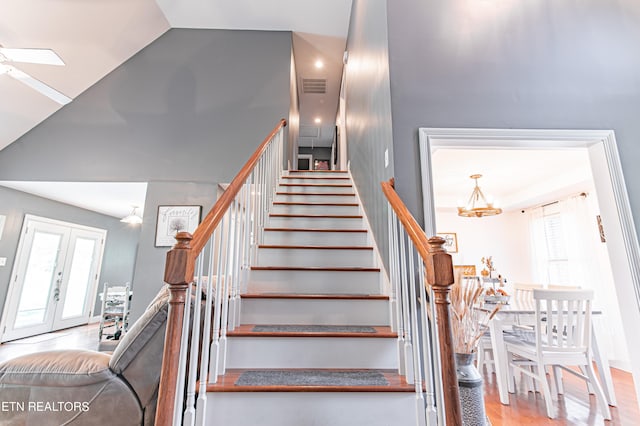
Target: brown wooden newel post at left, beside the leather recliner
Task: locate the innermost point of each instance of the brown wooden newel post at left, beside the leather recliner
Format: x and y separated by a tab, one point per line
178	273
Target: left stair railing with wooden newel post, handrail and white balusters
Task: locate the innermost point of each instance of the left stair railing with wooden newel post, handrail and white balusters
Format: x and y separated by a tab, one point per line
206	273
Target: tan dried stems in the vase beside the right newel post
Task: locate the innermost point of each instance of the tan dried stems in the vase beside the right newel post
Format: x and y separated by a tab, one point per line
470	318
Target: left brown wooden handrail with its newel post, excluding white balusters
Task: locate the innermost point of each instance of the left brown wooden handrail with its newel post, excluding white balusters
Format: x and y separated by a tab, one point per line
179	272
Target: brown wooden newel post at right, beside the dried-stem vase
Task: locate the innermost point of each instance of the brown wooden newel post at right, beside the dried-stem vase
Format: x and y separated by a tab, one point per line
440	277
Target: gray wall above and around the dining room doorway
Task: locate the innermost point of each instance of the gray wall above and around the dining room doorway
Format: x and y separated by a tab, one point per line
543	64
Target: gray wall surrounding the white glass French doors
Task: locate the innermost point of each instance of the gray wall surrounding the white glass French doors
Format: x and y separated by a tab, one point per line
120	246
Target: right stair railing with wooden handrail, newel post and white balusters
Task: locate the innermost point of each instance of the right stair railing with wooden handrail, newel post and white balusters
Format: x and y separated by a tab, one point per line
424	330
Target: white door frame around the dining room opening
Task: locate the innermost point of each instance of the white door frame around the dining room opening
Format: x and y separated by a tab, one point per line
610	186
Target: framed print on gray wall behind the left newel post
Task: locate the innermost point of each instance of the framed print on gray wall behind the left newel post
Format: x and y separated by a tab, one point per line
174	219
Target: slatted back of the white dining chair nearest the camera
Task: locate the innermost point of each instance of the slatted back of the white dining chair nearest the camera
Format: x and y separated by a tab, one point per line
563	319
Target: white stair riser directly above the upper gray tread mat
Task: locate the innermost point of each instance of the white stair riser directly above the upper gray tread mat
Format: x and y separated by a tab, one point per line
315	311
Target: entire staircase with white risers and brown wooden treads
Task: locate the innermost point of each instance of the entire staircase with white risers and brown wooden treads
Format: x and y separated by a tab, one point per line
315	344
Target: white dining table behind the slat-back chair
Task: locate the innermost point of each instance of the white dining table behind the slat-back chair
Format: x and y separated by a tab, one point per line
509	315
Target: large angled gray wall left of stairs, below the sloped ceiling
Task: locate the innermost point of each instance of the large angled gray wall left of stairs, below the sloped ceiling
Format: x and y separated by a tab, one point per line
191	107
